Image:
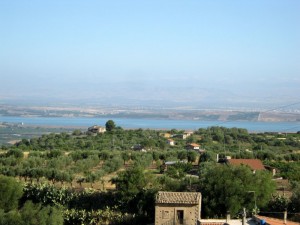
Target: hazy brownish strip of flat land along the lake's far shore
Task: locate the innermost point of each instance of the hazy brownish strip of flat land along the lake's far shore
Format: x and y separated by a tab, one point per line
177	113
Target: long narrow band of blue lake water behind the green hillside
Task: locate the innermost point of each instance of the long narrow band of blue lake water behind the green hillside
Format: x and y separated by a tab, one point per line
154	123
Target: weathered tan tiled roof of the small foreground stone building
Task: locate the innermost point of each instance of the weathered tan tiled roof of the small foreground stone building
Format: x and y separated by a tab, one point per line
178	197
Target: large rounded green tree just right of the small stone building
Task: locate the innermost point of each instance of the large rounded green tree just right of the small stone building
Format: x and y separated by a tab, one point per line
230	188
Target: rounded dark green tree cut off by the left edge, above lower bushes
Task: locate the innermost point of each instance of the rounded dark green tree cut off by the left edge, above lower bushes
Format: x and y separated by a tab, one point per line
10	193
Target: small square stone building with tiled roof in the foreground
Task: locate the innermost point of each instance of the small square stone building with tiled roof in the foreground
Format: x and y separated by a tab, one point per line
176	208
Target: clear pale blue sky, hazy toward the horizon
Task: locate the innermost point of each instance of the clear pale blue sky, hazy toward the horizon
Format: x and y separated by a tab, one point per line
194	52
